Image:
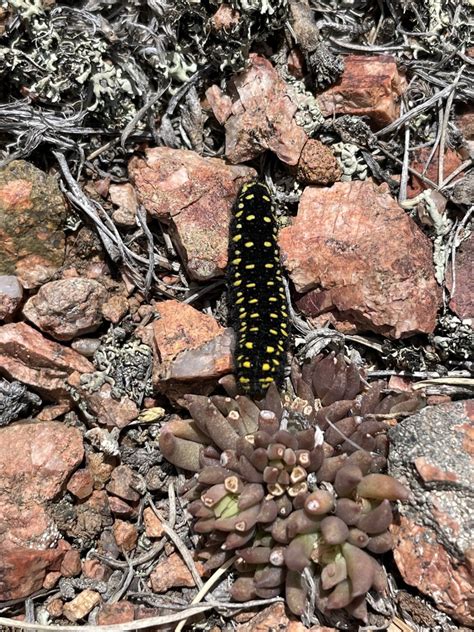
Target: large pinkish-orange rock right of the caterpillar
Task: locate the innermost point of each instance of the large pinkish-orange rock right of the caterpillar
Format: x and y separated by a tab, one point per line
341	246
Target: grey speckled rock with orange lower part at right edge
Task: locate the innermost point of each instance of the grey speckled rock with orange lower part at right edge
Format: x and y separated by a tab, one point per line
432	452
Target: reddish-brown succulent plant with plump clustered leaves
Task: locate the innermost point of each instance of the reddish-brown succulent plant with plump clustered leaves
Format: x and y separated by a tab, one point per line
293	484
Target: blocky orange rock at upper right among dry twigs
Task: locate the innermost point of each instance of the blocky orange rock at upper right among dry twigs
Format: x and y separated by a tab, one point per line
369	86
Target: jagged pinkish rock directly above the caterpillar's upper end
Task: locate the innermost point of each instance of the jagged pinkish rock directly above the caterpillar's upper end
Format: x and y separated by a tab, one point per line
263	116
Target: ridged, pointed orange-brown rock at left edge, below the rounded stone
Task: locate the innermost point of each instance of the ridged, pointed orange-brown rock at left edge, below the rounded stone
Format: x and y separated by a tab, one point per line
27	356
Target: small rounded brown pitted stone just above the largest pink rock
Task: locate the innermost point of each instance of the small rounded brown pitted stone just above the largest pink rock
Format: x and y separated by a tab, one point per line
317	164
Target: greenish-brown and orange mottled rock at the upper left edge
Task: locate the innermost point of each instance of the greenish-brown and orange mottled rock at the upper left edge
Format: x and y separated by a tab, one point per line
32	215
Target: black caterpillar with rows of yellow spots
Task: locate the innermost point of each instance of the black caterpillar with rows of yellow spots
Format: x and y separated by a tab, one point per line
257	301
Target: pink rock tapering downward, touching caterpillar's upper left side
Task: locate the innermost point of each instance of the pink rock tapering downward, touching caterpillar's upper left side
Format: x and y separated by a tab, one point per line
194	195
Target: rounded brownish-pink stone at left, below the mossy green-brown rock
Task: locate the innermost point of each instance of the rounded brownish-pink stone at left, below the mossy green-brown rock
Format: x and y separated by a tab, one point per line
68	308
